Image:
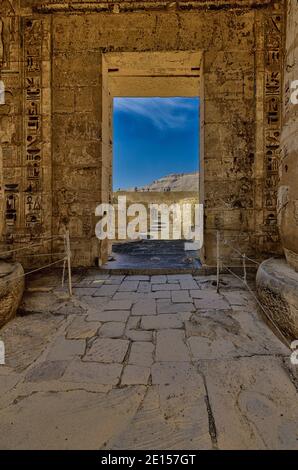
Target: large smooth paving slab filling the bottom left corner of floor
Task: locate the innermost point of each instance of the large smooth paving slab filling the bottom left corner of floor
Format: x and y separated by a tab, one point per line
74	419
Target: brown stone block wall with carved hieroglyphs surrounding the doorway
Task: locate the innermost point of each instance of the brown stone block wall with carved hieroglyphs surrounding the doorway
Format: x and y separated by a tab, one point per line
53	162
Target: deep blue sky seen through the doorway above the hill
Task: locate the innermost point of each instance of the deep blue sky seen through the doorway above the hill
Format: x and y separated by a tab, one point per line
154	137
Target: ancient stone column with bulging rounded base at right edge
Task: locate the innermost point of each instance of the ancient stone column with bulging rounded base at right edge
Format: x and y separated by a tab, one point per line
277	279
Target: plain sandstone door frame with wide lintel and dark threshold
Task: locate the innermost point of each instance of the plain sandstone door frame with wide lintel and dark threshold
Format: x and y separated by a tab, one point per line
146	74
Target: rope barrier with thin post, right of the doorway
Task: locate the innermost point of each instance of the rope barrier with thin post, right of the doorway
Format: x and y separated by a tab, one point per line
220	265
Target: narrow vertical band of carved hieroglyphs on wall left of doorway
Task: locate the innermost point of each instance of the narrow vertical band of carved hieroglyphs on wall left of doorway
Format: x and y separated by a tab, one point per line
33	122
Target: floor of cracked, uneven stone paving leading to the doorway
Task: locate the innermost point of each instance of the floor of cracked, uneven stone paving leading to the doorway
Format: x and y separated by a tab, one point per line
138	362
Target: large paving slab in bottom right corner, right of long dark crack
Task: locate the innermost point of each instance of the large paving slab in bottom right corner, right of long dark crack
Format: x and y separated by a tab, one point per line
254	403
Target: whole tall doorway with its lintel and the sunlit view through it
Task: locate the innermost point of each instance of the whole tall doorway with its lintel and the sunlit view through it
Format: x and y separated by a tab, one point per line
153	160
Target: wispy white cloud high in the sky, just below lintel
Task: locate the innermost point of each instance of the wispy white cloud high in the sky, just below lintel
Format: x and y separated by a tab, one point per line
162	112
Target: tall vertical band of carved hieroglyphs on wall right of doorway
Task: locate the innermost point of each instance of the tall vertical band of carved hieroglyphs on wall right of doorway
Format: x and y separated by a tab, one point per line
272	124
